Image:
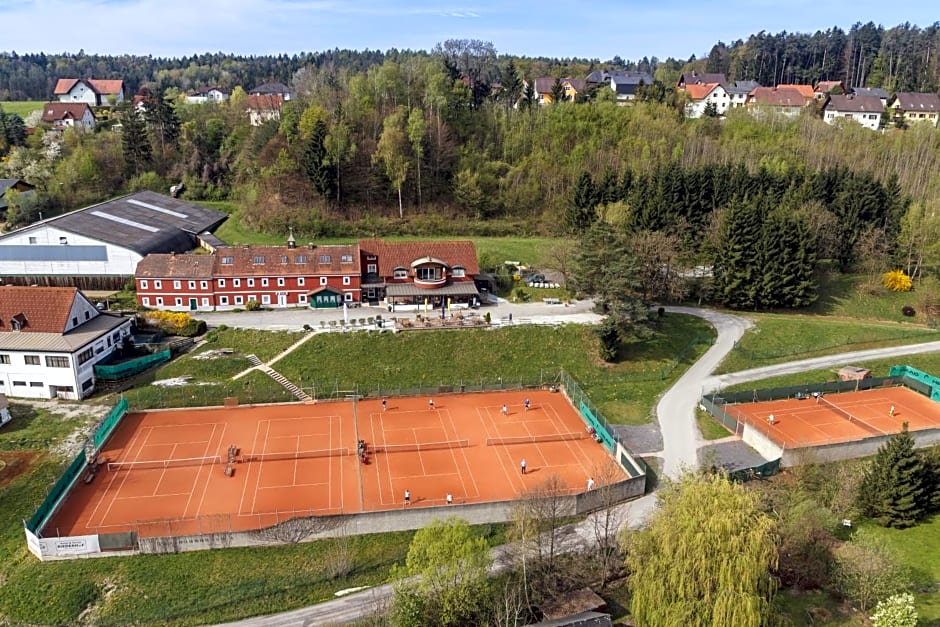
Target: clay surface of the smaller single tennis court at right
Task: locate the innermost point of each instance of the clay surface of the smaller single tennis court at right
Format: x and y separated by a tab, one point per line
802	423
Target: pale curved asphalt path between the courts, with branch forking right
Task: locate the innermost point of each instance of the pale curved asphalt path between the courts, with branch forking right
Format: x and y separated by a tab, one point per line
681	441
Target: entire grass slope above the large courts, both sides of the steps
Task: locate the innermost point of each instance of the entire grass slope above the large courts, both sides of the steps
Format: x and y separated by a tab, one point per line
385	363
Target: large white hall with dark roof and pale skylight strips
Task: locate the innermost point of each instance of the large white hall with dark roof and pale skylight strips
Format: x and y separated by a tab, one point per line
103	243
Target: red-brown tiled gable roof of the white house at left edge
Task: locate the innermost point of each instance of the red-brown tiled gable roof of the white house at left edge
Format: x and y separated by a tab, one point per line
44	309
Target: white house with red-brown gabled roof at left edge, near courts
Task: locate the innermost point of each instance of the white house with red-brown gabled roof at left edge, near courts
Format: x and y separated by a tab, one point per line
50	340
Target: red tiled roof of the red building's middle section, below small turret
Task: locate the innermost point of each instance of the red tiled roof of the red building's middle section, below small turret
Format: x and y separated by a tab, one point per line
302	260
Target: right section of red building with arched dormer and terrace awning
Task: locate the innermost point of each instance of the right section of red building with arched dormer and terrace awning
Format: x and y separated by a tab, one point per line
434	274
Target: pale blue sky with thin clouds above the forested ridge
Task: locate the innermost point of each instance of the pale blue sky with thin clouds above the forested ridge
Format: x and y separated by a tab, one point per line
591	29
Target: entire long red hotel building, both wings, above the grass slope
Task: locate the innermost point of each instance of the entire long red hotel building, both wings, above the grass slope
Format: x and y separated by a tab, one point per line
394	273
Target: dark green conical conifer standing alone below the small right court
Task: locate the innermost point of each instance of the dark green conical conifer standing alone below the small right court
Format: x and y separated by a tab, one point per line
892	490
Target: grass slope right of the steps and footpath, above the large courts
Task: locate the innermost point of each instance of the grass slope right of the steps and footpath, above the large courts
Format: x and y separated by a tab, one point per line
386	363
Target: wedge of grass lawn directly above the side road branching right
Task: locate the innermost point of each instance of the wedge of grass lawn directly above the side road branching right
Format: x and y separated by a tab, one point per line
777	338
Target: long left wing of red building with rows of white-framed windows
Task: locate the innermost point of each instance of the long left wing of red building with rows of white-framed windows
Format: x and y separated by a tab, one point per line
233	276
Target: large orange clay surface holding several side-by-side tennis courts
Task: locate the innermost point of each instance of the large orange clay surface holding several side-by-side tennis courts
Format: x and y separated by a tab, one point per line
201	499
